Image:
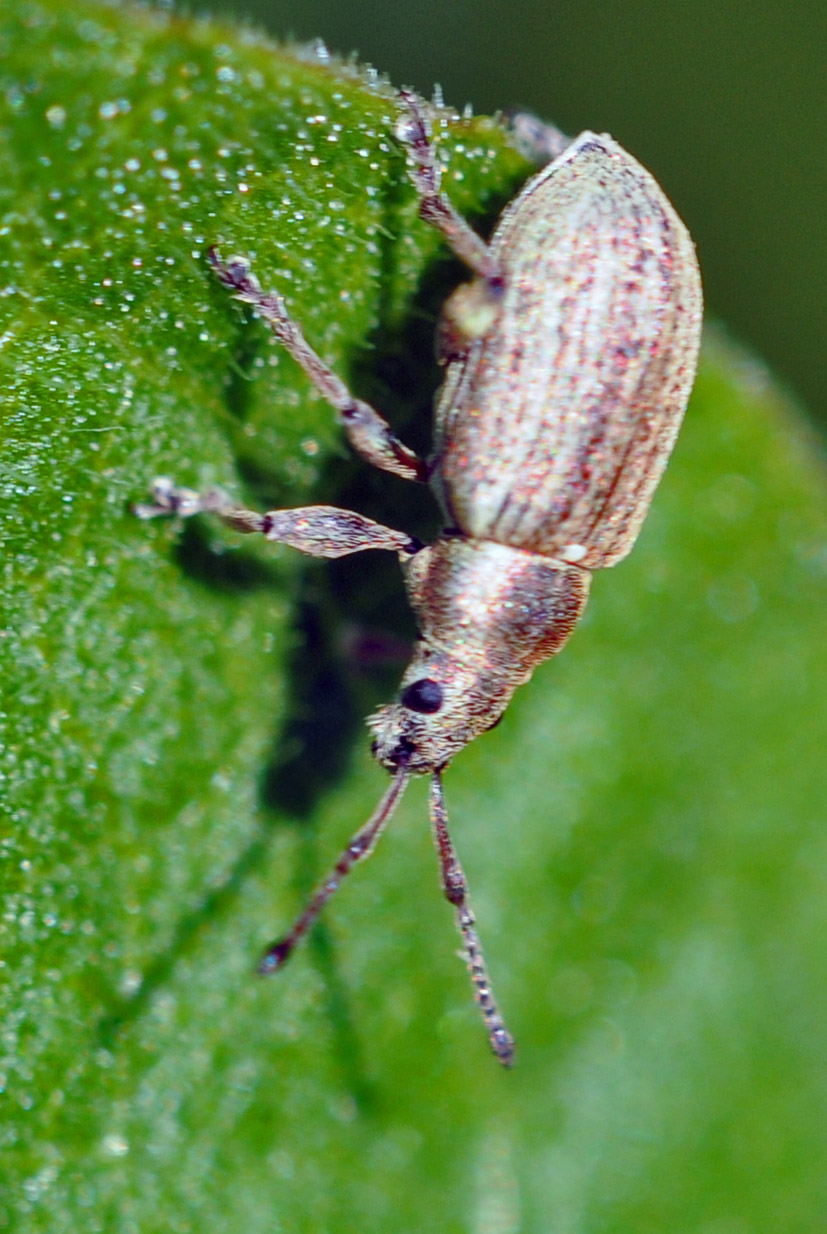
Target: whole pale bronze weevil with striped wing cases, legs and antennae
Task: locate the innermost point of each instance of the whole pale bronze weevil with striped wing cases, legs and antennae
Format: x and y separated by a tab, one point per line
571	357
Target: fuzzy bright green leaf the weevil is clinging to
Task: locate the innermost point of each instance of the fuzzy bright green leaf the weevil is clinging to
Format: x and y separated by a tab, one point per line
183	752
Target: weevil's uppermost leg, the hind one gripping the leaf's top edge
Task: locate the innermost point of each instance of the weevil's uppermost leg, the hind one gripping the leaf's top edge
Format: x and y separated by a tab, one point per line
413	131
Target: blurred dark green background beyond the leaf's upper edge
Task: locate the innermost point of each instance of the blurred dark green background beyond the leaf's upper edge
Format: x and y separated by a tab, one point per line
726	101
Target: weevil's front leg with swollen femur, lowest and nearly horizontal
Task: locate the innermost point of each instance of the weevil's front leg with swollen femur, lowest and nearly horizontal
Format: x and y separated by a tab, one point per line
319	531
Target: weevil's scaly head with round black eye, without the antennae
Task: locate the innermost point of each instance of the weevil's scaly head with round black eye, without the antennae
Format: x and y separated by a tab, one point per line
444	704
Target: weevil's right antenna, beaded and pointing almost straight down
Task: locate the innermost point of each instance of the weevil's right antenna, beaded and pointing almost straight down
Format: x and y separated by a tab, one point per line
456	889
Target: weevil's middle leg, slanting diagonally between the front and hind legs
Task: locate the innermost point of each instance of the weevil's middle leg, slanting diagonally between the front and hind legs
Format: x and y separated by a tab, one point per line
368	433
